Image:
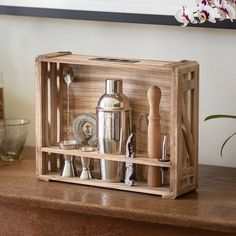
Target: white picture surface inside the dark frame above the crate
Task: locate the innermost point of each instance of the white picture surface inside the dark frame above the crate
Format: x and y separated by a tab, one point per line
163	7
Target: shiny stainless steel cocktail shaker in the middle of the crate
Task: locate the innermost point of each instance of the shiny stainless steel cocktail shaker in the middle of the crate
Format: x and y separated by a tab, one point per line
113	128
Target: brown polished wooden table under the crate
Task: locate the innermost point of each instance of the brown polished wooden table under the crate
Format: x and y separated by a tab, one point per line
32	207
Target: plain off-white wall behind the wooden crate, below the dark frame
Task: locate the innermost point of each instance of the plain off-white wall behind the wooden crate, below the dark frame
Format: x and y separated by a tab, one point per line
23	38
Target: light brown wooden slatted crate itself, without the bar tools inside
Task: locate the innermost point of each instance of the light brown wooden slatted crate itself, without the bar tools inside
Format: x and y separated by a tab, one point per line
179	84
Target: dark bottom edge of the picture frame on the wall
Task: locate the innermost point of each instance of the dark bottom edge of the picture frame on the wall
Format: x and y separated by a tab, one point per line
106	16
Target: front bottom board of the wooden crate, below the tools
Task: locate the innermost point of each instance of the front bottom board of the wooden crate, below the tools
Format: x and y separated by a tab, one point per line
138	187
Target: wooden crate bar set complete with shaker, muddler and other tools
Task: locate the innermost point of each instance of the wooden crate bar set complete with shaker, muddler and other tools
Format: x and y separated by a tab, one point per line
129	125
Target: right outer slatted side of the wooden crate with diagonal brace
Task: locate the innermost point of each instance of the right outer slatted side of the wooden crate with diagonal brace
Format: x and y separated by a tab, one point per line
189	146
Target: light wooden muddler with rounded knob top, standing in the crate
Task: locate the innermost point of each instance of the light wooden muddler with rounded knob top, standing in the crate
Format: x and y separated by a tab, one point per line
154	135
